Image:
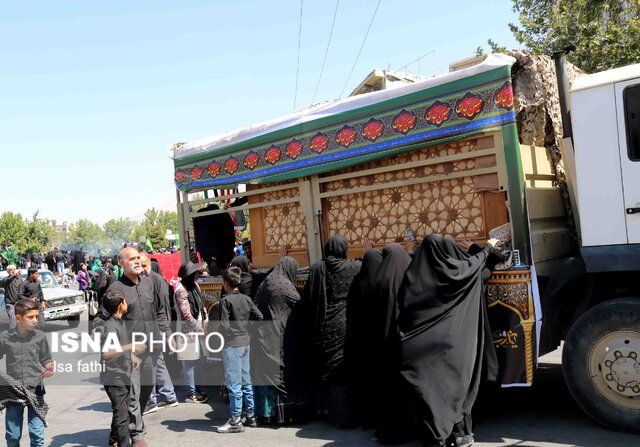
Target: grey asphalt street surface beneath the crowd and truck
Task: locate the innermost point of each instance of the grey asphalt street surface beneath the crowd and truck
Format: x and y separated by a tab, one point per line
542	416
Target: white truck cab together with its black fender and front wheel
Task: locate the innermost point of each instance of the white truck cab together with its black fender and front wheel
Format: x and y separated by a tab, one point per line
593	302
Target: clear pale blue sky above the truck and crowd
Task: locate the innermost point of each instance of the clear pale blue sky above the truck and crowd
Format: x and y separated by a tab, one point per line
93	94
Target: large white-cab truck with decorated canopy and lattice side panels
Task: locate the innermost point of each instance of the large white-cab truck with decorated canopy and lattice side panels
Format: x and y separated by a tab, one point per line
517	145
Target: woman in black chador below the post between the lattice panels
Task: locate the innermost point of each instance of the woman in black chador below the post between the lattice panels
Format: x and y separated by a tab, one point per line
326	295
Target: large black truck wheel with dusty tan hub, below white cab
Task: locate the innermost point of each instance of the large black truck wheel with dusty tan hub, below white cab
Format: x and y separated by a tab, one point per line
601	363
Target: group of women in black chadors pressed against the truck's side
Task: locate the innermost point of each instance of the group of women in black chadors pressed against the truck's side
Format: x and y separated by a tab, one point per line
395	342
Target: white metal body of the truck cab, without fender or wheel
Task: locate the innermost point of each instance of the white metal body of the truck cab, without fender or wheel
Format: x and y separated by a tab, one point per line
605	115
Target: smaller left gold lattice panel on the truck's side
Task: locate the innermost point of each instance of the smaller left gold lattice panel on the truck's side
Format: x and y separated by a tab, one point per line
284	224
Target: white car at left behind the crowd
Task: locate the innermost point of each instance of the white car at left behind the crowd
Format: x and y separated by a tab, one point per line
61	303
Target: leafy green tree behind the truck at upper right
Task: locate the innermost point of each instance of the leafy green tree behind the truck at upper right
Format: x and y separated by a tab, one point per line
605	32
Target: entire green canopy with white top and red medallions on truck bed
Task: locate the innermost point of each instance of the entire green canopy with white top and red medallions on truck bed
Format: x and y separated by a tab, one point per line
353	130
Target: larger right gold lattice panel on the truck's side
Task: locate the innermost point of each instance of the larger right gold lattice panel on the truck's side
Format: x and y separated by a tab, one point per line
447	207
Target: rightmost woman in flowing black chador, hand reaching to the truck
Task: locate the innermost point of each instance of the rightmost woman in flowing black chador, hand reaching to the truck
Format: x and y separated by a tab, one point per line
443	341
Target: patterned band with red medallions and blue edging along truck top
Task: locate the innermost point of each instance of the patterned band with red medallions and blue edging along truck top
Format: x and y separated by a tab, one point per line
450	116
